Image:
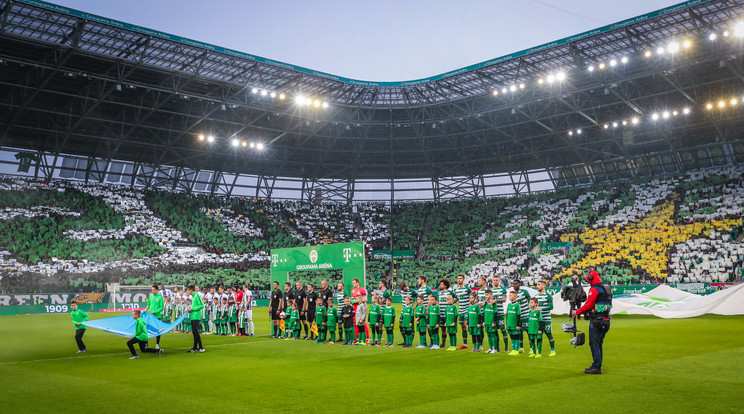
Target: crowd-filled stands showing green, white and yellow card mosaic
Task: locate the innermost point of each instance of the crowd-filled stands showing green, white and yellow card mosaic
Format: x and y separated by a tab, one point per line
681	228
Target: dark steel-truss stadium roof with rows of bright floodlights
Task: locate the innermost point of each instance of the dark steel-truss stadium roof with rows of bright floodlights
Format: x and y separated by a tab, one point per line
76	83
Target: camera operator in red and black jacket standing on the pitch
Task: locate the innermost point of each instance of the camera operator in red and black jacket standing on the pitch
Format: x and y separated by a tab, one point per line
597	308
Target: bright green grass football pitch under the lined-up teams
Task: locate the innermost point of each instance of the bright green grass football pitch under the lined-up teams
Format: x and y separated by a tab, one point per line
651	365
